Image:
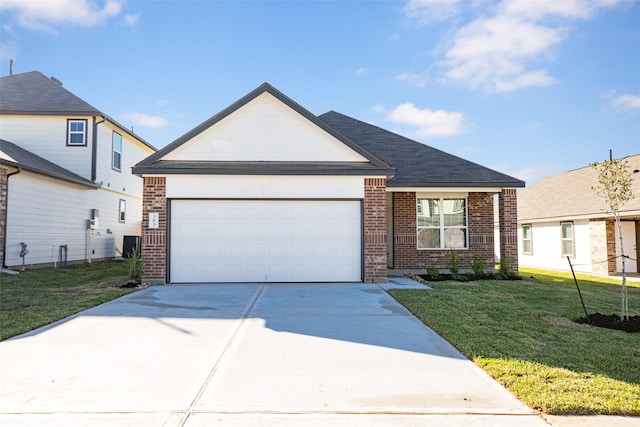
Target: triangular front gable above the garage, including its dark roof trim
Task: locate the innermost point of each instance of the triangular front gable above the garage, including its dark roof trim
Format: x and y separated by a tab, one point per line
263	132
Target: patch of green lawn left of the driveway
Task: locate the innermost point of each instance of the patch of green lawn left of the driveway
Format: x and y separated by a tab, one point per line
38	297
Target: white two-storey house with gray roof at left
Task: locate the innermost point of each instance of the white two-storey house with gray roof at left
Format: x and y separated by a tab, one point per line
66	188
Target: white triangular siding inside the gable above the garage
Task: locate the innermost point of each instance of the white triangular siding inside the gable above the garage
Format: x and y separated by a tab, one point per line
265	129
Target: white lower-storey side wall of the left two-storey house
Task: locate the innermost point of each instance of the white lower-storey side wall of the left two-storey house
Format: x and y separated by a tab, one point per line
45	213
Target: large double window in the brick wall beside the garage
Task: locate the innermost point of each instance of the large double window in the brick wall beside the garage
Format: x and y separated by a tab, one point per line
441	223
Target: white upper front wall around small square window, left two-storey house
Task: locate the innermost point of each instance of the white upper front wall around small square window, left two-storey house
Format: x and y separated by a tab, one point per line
47	137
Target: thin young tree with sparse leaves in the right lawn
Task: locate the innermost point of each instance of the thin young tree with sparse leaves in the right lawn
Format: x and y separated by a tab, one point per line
614	186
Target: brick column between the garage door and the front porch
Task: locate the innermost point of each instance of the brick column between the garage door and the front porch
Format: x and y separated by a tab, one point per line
375	230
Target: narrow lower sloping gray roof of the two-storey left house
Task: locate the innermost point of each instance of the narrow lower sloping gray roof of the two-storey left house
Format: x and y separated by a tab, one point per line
12	155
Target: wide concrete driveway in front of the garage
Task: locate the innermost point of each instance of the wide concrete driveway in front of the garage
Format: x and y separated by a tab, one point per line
246	355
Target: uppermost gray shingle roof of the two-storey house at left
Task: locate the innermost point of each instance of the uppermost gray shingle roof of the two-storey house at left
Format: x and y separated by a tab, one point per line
33	92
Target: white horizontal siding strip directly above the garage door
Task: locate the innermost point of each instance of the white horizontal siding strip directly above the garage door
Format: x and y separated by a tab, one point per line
264	187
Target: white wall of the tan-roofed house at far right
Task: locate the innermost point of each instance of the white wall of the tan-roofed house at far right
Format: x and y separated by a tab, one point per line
547	251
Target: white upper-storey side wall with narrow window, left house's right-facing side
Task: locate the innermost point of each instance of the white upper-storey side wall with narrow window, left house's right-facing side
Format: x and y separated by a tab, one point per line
132	152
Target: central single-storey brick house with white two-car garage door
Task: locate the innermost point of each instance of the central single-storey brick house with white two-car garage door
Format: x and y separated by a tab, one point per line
265	191
